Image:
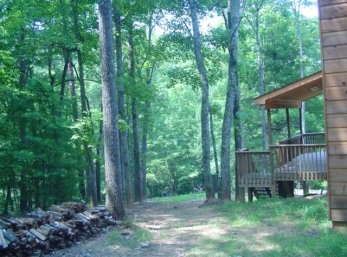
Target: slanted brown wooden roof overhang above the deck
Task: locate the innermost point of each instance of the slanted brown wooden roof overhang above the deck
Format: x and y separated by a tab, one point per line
293	94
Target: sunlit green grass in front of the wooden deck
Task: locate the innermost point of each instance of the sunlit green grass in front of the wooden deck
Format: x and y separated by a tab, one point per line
302	225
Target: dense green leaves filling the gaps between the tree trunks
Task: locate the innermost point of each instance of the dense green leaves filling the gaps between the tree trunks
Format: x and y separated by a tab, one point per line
43	131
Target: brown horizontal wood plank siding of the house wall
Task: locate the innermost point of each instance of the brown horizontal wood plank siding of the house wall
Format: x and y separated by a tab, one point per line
333	29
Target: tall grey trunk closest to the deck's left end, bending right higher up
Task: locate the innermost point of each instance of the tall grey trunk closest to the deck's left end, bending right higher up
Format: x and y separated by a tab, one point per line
232	87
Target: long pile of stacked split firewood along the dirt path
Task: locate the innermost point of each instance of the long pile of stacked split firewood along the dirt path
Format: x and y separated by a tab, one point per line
41	232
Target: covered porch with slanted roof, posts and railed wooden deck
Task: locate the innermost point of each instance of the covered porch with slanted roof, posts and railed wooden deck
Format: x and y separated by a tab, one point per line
297	158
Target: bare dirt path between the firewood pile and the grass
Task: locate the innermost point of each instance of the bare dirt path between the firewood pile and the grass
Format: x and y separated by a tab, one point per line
175	229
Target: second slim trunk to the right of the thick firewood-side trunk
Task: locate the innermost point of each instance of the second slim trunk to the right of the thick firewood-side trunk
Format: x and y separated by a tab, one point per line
137	160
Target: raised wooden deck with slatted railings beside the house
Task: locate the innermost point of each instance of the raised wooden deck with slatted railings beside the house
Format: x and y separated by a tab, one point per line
305	160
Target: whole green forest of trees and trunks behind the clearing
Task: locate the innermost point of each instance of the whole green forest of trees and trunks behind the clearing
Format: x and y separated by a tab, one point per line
185	75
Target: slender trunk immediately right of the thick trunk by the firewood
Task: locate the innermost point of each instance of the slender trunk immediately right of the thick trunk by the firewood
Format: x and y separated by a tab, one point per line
122	111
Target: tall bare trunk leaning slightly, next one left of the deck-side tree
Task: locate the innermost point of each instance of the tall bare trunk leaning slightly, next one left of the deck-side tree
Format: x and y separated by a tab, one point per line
204	101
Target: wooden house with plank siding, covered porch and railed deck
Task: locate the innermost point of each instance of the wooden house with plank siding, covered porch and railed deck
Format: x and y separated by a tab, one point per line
317	156
